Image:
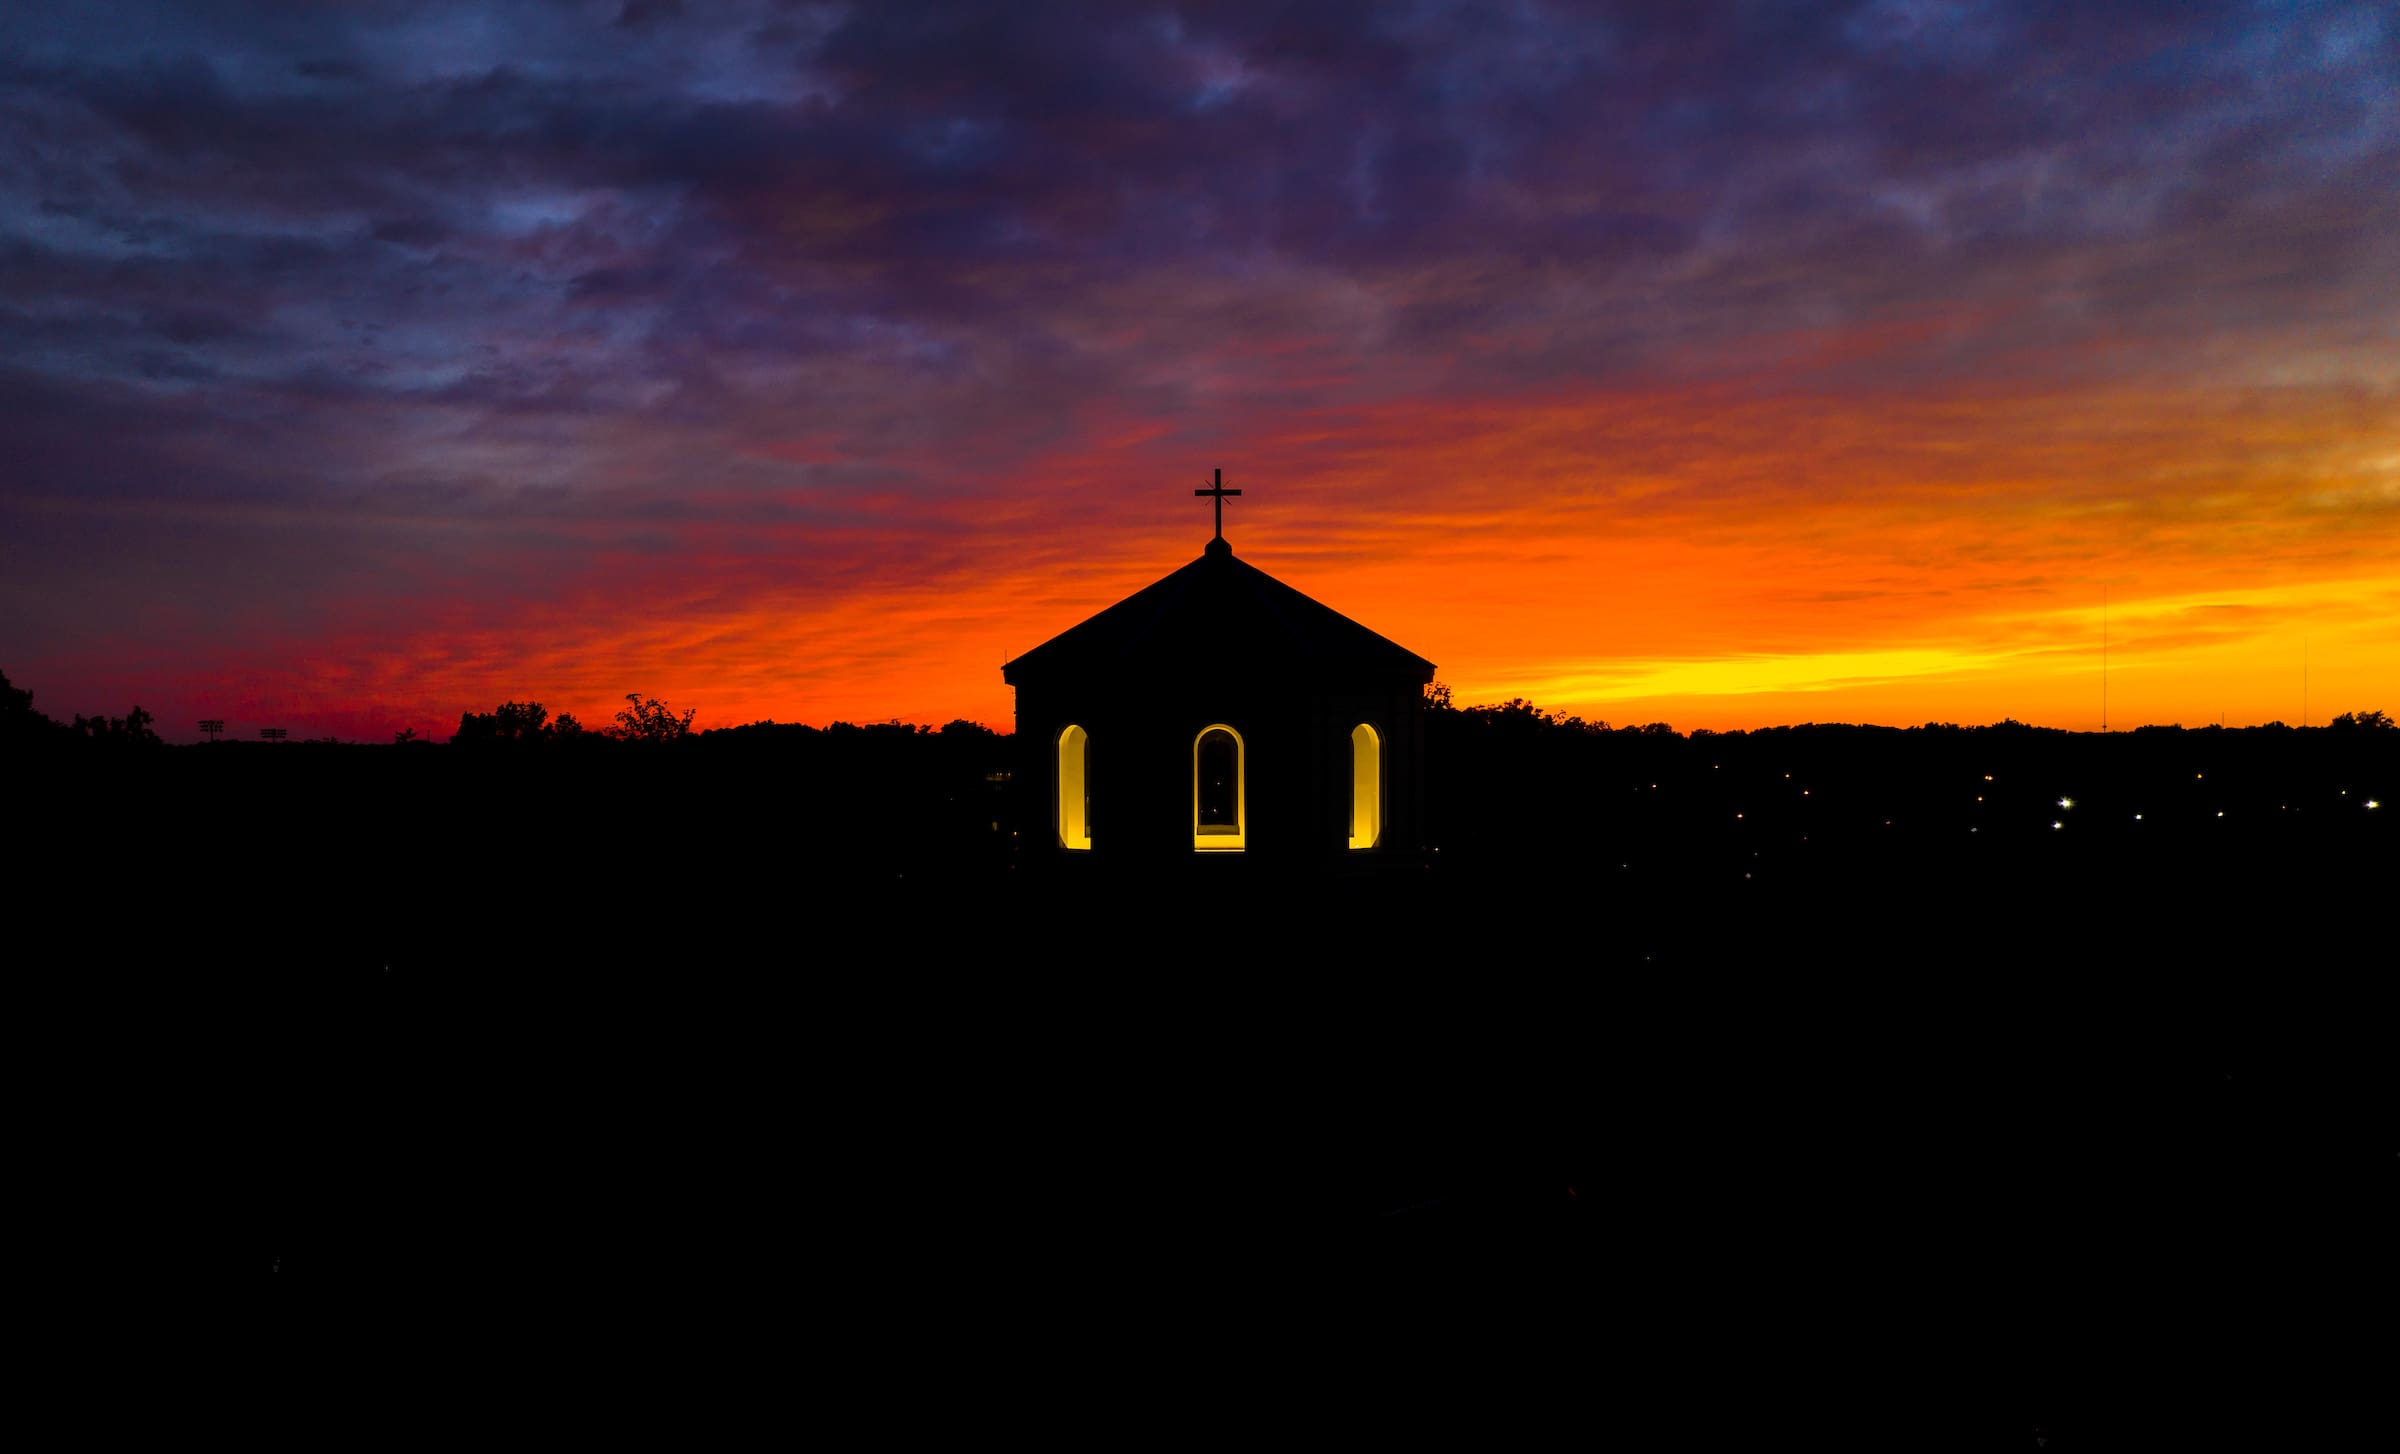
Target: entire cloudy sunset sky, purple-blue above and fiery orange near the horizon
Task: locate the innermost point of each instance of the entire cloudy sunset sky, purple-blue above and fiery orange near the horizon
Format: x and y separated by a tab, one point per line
1703	363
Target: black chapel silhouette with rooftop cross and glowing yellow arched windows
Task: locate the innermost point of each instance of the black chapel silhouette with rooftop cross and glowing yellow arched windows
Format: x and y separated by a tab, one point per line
1223	714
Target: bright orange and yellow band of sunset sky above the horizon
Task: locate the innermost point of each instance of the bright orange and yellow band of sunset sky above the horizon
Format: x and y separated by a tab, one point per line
1700	558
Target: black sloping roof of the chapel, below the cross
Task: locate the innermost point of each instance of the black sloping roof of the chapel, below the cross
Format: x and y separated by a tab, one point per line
1211	615
